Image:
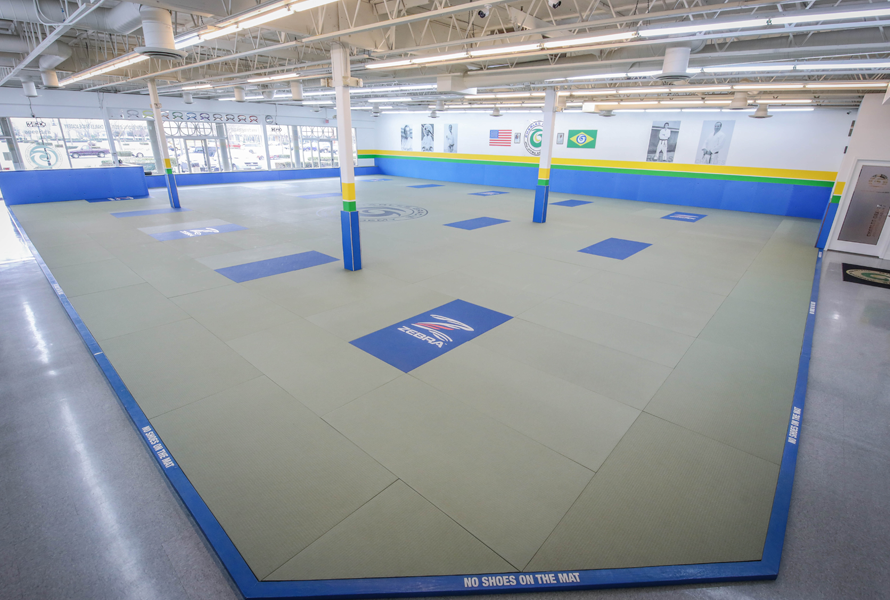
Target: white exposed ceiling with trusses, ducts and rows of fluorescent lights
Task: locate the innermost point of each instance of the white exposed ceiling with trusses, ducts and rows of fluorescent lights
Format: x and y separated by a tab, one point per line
822	52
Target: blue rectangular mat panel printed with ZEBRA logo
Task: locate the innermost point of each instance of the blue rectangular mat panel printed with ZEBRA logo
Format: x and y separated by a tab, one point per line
422	338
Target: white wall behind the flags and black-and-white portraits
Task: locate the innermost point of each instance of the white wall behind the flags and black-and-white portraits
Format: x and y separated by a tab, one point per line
794	140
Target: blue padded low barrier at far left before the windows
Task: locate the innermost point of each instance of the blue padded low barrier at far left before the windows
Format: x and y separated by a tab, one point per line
32	187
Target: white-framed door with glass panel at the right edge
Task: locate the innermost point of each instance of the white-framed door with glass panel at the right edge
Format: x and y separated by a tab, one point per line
862	226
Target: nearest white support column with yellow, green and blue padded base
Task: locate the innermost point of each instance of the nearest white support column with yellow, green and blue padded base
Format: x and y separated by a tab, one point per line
352	252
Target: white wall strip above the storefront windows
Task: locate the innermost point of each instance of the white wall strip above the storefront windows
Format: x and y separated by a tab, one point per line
93	105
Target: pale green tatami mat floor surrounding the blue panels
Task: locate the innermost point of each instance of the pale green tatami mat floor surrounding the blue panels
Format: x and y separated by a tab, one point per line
631	413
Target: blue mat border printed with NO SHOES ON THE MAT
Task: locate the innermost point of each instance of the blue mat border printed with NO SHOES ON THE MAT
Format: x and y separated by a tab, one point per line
764	569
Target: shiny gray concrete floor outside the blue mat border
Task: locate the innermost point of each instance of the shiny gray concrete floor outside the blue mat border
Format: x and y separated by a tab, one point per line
86	514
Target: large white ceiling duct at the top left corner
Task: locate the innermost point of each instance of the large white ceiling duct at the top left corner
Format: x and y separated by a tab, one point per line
123	18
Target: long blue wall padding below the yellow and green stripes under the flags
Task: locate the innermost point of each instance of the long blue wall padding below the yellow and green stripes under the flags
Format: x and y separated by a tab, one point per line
785	199
